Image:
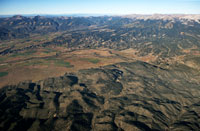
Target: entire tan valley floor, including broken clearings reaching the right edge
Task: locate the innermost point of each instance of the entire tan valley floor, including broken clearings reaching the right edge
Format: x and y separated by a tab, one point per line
43	63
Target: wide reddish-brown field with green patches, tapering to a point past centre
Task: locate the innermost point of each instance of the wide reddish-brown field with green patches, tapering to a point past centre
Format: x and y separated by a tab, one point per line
38	66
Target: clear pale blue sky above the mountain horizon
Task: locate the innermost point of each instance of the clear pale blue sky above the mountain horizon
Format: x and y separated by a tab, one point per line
116	7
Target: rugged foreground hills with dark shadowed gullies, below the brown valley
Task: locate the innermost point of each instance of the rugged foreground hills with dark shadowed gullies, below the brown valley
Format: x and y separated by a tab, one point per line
124	96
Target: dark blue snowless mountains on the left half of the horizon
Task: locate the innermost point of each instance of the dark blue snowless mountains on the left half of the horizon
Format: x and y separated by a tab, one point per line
20	26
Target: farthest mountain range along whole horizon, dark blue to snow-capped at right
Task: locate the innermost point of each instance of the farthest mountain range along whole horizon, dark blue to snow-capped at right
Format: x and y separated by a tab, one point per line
20	26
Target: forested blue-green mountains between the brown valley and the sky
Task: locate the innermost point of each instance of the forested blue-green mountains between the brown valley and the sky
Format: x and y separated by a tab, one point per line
166	37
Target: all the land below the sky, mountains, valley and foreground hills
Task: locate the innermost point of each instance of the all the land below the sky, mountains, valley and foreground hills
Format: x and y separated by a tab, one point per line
137	72
